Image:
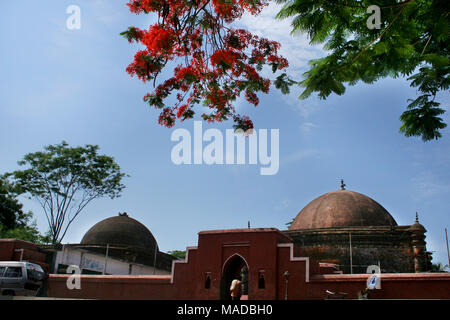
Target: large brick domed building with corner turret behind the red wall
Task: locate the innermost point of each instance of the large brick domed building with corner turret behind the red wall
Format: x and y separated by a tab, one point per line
354	231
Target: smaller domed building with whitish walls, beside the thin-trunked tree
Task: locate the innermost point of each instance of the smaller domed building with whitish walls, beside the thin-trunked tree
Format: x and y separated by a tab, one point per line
117	245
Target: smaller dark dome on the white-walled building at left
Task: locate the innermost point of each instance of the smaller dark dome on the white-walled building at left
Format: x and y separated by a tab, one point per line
120	230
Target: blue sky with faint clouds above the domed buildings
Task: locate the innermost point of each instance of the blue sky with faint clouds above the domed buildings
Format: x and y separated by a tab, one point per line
59	84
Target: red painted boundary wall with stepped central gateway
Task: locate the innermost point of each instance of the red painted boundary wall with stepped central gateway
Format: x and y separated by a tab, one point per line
264	250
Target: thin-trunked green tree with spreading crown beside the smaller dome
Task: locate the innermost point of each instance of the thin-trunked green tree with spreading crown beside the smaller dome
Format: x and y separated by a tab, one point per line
64	180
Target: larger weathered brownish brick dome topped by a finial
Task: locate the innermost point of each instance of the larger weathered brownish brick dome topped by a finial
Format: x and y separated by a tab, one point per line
342	208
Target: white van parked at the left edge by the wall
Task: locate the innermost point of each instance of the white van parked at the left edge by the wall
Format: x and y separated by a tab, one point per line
18	278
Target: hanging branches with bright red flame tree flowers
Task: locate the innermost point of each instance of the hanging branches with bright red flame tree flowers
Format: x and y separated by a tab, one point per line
218	62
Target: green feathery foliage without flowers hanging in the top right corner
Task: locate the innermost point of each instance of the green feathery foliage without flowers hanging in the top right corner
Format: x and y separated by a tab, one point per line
412	42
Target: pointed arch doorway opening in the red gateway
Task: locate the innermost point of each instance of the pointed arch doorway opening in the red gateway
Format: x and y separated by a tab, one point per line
234	268
